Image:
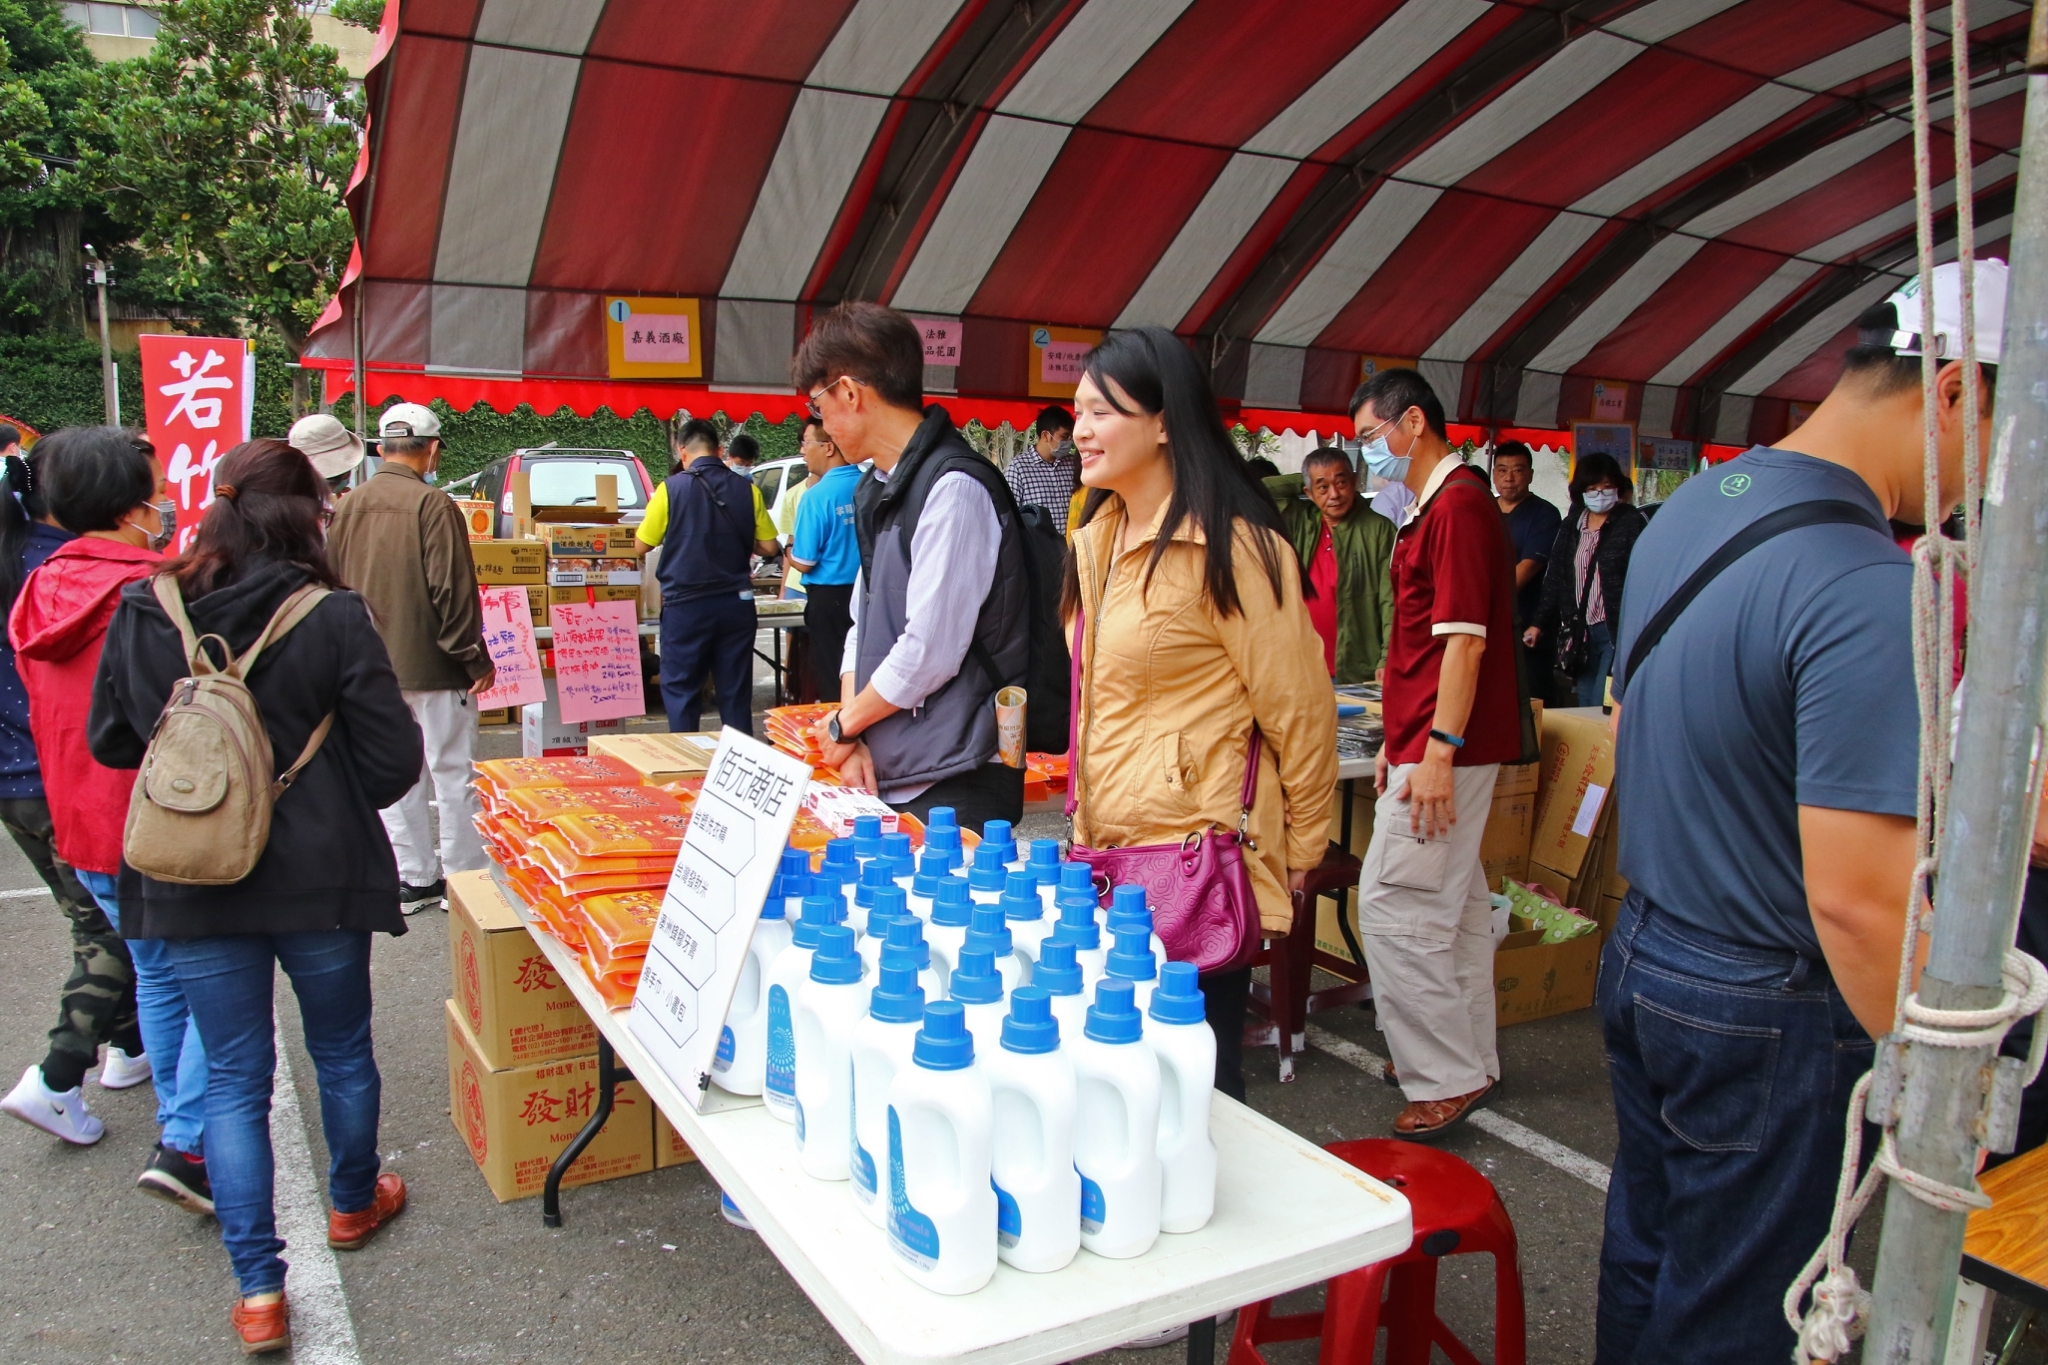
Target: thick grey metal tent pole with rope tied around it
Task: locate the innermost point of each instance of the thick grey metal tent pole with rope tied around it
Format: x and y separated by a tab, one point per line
1992	797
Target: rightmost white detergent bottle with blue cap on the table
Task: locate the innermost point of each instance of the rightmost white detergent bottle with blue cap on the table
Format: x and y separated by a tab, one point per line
1187	1049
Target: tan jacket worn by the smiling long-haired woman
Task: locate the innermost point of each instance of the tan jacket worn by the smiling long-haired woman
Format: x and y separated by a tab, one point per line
1168	697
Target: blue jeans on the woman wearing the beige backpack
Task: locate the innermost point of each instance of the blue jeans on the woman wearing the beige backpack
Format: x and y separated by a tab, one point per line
228	981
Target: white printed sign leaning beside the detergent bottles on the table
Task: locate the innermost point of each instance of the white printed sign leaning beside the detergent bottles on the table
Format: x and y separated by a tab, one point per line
716	893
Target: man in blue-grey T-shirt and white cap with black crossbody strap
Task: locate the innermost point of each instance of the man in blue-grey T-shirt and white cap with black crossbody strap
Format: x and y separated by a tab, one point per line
1768	770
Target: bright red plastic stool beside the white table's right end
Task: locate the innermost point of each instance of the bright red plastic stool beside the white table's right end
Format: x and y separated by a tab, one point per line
1455	1215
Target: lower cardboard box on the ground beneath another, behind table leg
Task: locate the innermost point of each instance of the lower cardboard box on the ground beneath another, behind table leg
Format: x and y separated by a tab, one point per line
521	1118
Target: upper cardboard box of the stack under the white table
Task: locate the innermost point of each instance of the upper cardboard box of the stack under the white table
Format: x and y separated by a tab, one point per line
507	992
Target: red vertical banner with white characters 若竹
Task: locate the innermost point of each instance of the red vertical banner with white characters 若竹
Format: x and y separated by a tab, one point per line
198	396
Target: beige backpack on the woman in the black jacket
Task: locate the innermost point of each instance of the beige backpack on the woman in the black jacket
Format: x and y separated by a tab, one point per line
202	805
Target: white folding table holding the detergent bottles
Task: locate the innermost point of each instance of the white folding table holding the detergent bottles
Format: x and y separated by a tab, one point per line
1289	1215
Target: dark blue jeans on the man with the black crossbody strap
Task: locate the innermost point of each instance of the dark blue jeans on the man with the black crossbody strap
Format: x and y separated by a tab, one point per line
1732	1075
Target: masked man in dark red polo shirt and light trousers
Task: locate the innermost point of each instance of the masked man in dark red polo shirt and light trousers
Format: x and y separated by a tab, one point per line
1451	723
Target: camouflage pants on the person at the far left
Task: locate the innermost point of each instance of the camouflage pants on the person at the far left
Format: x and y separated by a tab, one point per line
99	998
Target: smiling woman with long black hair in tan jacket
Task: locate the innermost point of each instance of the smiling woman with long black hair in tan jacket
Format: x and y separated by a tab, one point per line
1193	631
